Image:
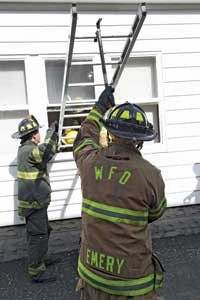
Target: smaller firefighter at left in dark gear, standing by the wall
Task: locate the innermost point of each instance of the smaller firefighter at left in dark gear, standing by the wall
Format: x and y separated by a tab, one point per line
34	192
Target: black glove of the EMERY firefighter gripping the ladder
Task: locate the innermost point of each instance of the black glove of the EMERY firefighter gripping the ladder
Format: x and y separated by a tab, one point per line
106	99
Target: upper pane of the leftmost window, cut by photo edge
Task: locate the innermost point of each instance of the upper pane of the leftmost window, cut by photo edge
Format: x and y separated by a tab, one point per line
12	83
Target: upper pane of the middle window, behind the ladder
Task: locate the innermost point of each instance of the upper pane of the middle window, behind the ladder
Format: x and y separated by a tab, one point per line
79	74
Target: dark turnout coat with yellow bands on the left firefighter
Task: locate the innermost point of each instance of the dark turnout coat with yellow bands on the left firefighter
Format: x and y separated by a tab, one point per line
33	181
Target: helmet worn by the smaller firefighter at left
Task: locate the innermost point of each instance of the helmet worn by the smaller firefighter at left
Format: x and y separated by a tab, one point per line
26	126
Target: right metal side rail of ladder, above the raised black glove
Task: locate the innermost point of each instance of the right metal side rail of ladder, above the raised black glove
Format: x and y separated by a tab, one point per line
136	27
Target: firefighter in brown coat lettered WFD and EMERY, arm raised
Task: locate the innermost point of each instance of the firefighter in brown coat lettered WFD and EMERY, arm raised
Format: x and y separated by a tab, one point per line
122	193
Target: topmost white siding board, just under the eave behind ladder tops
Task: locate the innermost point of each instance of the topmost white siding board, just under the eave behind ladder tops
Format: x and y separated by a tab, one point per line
62	18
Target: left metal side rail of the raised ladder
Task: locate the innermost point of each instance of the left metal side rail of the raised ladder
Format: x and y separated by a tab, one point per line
67	69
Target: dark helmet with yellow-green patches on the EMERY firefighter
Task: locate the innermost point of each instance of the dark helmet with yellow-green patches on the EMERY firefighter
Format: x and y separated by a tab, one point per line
128	121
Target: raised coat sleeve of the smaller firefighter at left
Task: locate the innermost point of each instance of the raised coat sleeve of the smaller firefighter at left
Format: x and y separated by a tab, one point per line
44	152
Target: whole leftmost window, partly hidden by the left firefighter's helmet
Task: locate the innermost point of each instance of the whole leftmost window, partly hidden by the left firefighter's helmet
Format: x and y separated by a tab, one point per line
13	101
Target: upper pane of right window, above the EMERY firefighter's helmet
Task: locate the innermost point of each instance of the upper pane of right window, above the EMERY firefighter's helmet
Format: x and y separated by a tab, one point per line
138	80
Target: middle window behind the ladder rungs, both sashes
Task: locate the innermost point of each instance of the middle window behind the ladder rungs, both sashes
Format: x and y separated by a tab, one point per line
80	94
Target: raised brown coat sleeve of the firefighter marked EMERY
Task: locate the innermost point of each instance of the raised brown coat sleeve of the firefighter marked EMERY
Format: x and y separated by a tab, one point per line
87	140
